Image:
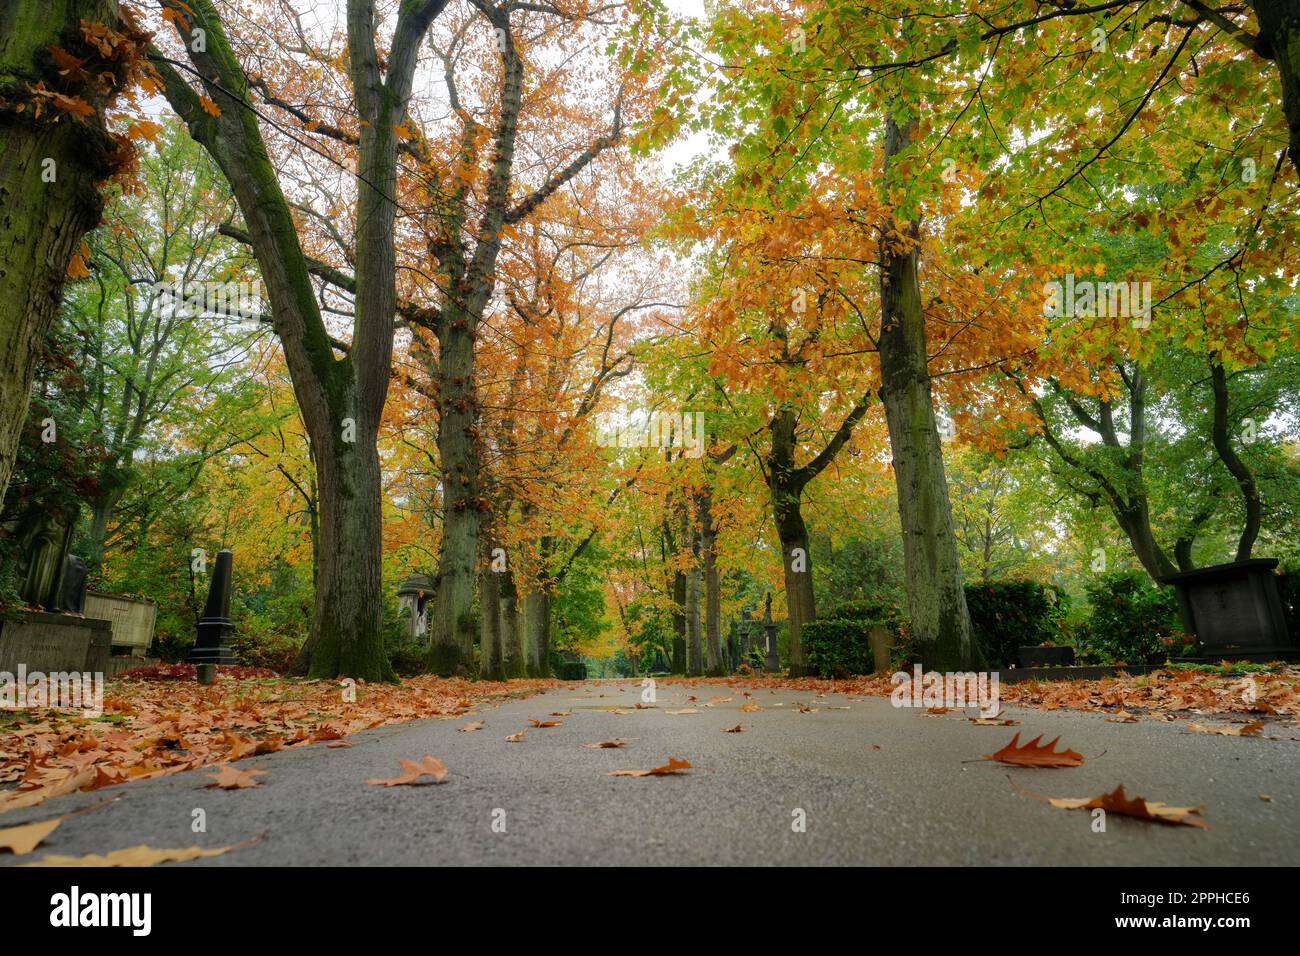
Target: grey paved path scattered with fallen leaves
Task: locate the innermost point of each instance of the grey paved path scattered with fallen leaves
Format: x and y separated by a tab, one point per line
878	786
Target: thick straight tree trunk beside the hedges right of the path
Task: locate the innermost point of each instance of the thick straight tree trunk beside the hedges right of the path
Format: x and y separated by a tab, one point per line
937	599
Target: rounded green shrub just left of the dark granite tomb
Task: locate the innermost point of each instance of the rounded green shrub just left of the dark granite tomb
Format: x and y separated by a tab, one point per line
1133	621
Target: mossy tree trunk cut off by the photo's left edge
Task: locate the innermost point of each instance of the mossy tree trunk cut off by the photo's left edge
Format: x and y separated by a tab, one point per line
49	200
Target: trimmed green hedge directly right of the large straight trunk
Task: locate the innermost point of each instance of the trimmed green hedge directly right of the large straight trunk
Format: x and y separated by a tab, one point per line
1009	615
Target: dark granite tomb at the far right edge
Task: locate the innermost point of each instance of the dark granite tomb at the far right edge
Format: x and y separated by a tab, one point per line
1234	611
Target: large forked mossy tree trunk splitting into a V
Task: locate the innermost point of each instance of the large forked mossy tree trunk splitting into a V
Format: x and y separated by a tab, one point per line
341	400
